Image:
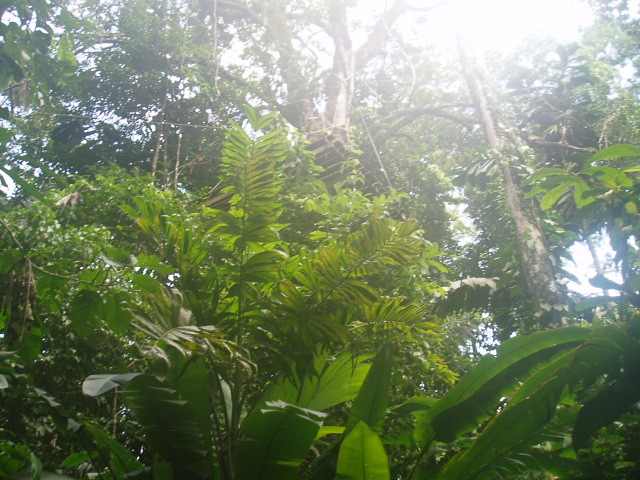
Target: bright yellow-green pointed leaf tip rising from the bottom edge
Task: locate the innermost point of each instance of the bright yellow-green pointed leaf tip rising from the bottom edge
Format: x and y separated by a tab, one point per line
362	456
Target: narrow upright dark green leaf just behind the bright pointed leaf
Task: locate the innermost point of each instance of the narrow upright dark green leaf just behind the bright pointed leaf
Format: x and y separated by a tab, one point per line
370	406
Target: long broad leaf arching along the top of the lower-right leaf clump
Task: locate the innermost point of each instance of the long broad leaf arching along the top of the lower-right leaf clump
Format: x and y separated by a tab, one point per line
477	394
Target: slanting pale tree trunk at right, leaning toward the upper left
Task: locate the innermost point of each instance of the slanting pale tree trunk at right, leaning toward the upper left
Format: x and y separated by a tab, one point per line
536	266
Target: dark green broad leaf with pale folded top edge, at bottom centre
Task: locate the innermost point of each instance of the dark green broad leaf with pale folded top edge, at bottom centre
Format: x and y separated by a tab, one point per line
276	440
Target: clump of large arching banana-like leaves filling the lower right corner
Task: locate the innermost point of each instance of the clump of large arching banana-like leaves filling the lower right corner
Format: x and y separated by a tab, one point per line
540	373
